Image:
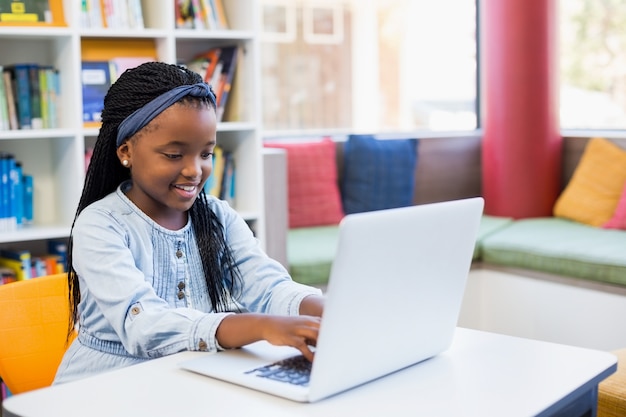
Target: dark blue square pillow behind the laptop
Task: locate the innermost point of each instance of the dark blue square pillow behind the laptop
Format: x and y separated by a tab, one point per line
378	173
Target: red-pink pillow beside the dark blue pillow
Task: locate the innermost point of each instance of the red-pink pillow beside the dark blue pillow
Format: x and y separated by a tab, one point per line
314	198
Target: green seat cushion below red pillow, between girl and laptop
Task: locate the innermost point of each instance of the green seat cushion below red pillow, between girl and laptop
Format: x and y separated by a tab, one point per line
310	253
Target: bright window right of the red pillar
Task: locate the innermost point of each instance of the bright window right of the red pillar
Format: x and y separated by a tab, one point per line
593	64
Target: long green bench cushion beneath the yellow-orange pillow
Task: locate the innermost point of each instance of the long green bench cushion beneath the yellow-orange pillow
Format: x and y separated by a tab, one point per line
561	247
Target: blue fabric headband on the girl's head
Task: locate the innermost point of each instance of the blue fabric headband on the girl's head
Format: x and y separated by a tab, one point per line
144	115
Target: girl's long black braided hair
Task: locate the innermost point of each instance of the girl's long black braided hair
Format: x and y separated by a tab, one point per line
134	89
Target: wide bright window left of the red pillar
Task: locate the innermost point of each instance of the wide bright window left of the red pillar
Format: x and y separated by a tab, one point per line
369	65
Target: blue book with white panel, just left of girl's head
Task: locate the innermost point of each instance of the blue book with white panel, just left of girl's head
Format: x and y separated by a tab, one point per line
96	80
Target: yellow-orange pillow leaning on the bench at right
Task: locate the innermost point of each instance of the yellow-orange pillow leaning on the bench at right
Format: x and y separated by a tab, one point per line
595	188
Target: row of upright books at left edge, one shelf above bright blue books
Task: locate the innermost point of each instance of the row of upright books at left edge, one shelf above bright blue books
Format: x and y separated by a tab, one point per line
28	96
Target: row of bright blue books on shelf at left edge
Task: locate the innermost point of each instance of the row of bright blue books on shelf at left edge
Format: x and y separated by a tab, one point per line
16	194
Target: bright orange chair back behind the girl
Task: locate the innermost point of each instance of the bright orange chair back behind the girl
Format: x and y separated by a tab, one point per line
33	328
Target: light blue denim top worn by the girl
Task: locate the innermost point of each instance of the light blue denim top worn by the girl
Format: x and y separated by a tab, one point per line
143	291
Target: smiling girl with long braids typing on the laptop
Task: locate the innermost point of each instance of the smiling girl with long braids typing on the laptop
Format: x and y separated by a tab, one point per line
156	265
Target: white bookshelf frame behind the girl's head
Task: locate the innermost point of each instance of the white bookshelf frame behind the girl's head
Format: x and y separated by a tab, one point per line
55	157
